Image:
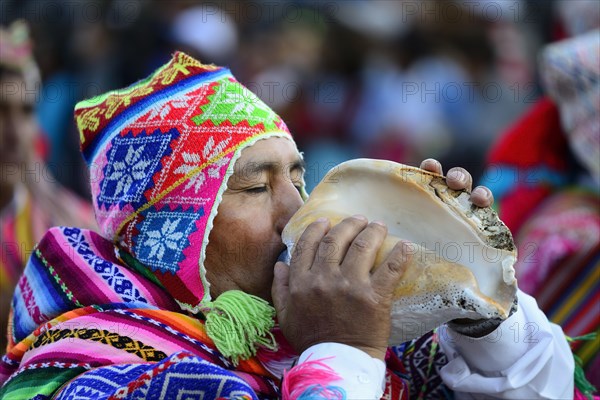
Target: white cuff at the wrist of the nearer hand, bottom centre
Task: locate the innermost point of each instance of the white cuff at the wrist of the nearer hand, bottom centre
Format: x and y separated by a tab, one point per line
361	376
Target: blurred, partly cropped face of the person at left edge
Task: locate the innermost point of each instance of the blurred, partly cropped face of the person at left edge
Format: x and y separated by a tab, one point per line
18	126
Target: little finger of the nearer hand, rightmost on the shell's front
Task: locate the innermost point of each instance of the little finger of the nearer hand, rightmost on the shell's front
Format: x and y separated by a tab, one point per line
387	275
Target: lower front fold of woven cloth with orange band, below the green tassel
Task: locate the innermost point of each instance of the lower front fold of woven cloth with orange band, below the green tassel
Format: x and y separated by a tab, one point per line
161	351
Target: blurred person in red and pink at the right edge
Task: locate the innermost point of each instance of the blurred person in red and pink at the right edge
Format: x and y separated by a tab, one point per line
545	172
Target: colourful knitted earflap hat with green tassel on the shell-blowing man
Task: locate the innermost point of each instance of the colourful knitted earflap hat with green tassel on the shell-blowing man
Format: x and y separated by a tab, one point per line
160	153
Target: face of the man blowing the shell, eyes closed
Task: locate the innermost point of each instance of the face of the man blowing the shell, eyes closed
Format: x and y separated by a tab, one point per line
261	196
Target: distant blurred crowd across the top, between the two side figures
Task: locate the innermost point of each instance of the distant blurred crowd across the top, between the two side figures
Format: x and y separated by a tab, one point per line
401	80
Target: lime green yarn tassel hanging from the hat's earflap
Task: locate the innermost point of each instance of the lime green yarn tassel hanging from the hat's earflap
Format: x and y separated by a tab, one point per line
238	322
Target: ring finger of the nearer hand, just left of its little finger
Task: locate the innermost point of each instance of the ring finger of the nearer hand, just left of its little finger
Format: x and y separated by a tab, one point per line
360	257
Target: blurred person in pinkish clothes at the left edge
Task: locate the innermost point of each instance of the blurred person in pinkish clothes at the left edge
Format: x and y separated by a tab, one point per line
31	201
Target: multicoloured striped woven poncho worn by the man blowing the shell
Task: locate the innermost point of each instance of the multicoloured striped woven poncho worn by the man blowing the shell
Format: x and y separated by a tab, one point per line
88	324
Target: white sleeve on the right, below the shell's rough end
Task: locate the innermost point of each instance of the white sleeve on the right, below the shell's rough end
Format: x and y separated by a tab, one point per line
525	357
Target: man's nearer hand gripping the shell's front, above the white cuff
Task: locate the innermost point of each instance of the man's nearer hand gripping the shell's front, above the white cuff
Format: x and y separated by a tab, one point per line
331	292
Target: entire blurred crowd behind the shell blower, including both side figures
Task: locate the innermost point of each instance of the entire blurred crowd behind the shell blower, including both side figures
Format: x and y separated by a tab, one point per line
460	81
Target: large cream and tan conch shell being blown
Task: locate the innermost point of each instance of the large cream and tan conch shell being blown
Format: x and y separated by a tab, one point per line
461	256
